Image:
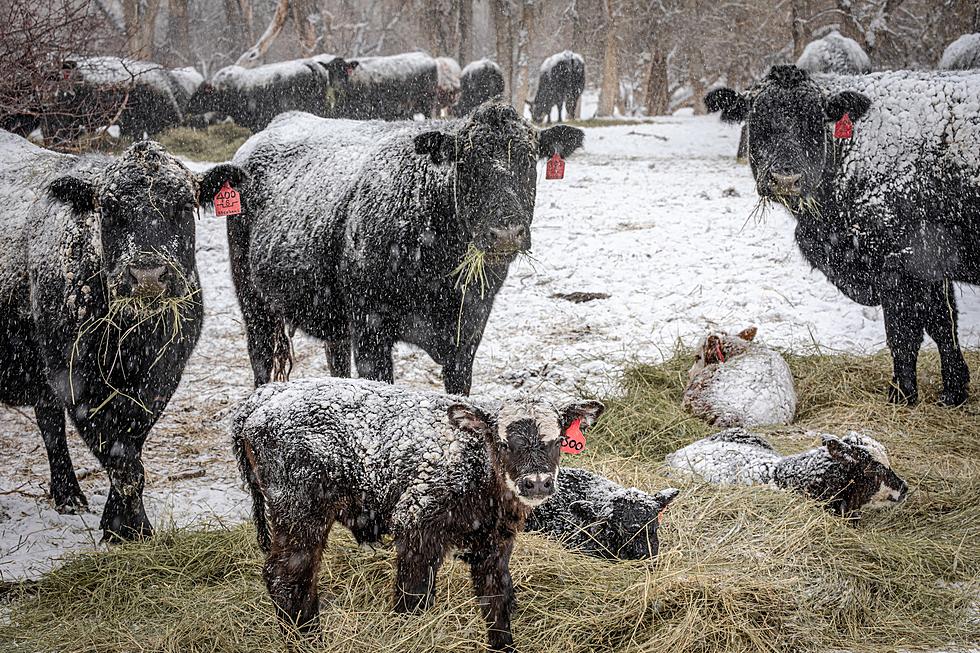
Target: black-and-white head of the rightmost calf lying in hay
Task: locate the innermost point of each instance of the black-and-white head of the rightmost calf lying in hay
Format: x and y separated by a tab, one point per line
859	475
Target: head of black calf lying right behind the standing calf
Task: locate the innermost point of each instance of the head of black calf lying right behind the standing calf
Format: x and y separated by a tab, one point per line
630	522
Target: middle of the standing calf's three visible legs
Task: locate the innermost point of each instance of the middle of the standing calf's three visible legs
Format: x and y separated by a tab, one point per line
419	557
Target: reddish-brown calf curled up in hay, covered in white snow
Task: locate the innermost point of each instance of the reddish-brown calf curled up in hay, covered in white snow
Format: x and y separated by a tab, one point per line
738	382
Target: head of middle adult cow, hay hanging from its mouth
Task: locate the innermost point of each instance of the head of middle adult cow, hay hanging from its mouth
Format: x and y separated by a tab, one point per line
494	153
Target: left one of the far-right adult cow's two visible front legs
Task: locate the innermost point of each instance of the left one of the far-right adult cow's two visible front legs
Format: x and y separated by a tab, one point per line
903	302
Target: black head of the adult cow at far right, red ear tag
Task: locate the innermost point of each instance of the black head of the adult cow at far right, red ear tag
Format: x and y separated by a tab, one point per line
788	119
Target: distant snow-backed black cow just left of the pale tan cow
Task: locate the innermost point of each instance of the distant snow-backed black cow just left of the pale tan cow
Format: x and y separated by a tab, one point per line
390	88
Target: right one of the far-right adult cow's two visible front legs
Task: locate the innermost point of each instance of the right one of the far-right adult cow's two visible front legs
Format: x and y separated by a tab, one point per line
940	322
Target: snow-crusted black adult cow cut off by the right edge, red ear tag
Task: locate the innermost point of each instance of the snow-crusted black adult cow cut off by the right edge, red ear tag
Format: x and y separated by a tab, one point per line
882	173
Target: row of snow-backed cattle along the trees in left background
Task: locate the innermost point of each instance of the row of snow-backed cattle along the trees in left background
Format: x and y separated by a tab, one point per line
151	98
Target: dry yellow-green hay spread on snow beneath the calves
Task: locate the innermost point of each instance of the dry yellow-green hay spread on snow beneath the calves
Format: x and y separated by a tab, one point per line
745	569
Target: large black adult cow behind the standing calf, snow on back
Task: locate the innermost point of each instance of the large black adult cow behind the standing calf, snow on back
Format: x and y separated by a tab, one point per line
354	232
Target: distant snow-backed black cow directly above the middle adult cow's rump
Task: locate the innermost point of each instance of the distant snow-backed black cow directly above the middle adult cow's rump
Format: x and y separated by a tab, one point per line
254	96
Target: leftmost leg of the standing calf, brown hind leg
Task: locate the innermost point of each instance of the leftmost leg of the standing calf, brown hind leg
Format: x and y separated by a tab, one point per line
291	570
